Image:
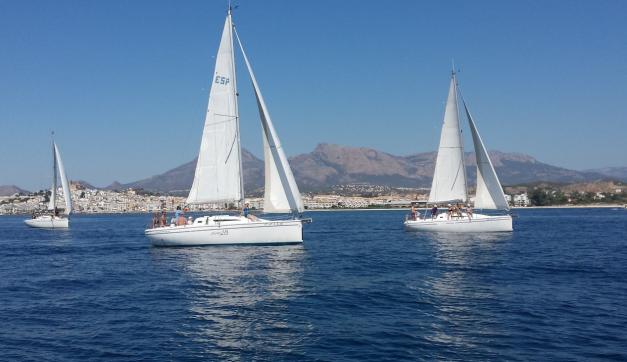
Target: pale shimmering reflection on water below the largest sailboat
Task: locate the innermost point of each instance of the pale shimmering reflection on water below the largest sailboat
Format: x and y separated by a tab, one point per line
238	294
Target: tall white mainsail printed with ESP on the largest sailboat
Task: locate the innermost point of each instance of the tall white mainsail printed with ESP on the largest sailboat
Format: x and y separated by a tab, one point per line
218	176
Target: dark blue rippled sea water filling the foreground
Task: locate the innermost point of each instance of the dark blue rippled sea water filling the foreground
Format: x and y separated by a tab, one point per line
359	288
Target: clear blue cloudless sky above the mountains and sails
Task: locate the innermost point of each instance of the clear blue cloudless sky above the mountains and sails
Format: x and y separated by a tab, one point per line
124	84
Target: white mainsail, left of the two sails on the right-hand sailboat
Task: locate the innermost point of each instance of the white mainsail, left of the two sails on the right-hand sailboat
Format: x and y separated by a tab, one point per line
449	178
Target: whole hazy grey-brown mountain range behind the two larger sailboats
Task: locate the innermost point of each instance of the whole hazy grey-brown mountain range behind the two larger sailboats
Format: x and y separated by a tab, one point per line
329	165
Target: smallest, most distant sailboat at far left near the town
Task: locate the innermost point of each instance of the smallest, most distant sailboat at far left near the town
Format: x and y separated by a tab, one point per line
53	219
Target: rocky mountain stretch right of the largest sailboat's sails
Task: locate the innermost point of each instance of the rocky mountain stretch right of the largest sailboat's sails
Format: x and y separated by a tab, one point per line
334	164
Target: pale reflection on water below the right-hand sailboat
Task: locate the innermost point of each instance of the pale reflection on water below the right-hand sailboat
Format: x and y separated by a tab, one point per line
461	290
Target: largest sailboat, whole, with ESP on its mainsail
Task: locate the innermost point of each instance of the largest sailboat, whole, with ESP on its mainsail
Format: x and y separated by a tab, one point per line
219	179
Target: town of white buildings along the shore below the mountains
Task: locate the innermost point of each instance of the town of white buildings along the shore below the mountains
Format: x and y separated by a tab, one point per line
358	196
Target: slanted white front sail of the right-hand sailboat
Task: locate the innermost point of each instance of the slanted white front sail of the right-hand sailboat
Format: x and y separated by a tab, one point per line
489	191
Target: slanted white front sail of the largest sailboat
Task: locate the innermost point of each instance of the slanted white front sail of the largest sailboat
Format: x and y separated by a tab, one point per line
281	192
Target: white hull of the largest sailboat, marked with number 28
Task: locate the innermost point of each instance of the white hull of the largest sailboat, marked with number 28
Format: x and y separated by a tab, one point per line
228	230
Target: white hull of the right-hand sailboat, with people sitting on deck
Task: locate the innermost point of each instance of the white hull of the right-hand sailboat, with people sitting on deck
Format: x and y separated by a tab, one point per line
477	224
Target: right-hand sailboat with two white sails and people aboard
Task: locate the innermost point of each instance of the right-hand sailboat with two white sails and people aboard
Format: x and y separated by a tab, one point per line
449	185
